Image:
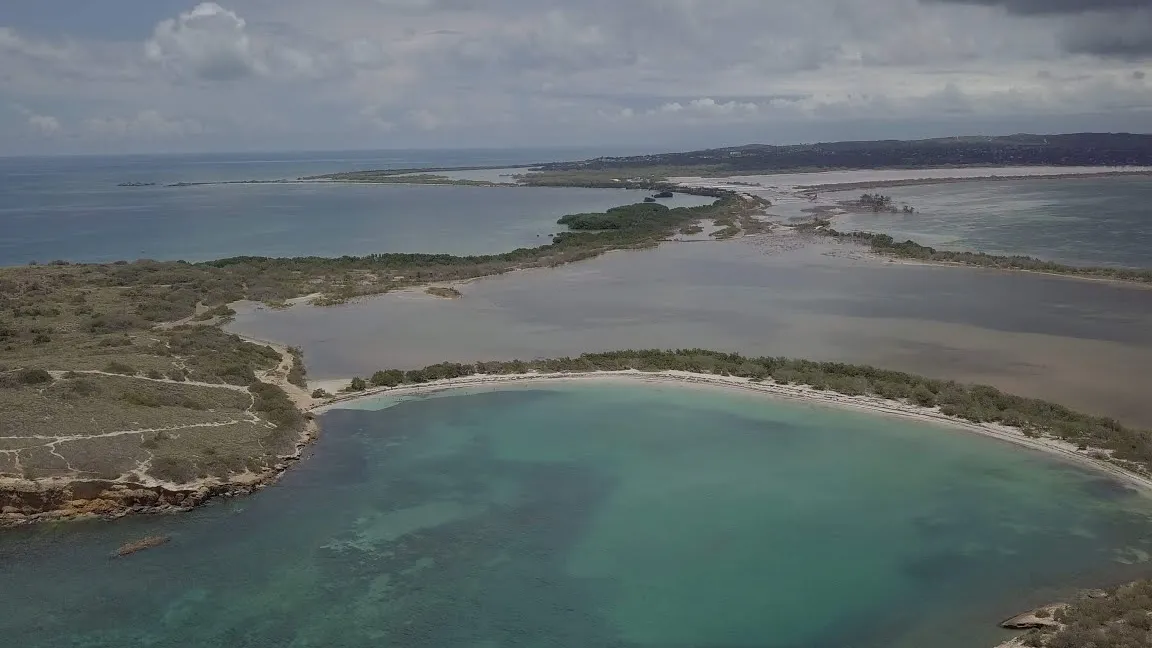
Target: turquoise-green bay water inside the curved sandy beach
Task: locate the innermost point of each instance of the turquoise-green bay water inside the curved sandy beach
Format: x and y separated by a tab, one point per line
589	516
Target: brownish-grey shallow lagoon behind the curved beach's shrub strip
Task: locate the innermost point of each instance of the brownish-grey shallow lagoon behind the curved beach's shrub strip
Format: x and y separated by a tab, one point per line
1082	343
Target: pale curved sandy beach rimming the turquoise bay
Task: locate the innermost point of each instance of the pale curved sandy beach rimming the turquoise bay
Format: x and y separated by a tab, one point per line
874	405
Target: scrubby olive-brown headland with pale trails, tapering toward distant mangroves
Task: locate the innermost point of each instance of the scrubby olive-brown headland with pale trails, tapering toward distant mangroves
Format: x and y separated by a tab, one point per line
111	330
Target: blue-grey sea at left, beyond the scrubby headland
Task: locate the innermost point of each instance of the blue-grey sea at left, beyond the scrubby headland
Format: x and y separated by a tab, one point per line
71	208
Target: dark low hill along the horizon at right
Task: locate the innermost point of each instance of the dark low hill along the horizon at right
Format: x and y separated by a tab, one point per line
1081	149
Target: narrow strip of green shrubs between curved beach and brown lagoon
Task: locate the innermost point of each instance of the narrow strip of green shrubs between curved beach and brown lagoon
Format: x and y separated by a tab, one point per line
1125	447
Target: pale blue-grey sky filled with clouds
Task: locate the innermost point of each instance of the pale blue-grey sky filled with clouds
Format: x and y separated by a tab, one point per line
86	77
